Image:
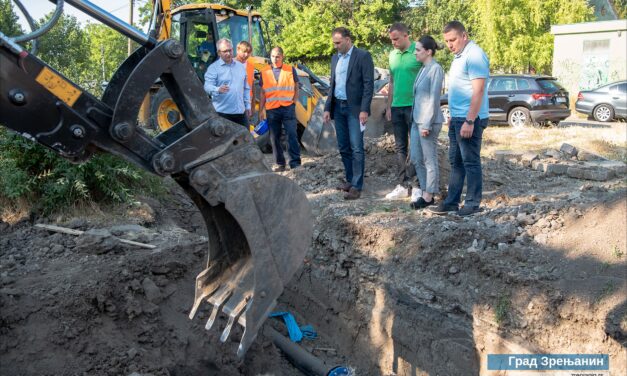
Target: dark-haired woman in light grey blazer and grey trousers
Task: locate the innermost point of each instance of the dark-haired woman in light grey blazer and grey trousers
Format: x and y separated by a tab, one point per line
427	121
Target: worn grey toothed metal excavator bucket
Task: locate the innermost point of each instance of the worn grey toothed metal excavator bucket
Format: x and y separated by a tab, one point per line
259	232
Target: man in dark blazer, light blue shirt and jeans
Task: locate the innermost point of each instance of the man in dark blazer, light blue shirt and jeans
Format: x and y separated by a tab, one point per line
348	103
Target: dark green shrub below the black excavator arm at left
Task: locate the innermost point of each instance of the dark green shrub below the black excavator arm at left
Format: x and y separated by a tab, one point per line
31	171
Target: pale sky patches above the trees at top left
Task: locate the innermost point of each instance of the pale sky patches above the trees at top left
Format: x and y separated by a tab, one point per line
38	8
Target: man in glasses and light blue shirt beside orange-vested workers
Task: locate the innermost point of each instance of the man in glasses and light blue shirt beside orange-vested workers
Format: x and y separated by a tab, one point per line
225	81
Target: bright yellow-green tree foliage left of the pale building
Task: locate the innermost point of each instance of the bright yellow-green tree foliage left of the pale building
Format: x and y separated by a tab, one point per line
515	34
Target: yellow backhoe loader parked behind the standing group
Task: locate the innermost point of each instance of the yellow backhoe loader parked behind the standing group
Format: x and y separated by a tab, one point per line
198	27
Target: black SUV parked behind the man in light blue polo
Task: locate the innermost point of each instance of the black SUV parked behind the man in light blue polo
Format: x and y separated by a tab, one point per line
521	100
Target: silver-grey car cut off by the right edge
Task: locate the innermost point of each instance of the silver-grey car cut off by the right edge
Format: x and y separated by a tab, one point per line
604	103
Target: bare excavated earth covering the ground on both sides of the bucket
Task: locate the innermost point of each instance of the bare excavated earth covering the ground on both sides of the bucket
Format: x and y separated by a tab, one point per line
390	291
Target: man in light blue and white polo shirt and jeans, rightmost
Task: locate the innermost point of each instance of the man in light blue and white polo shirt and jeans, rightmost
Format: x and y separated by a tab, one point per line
468	103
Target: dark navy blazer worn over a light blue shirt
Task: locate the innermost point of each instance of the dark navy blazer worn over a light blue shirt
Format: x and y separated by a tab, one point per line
359	82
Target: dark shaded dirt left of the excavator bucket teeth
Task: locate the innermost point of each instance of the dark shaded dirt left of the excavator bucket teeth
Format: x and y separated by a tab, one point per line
89	305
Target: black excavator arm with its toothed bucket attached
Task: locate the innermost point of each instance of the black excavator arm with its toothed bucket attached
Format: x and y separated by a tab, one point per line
259	223
